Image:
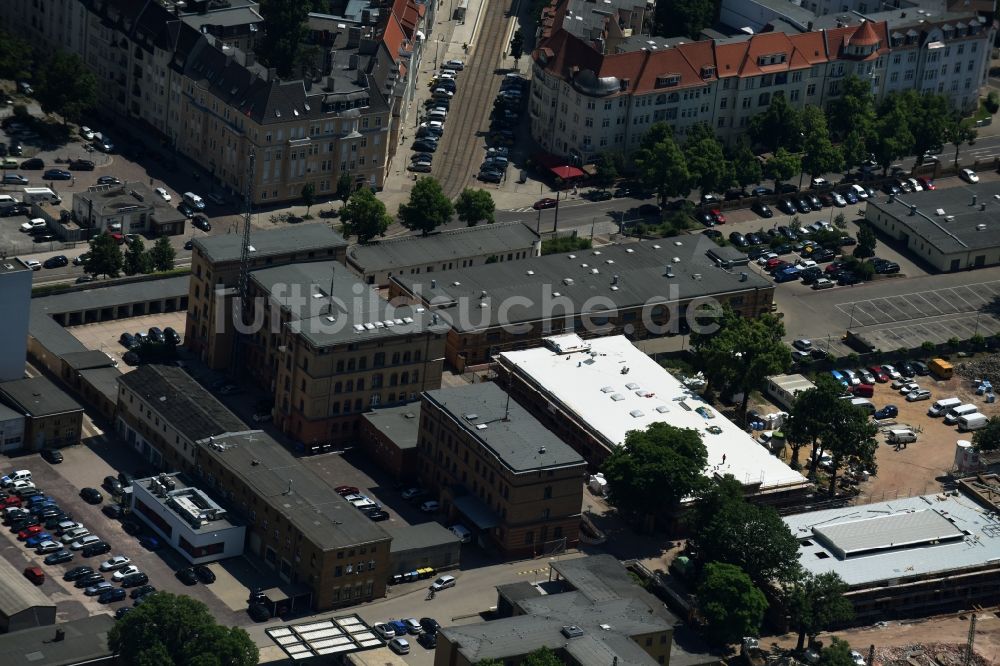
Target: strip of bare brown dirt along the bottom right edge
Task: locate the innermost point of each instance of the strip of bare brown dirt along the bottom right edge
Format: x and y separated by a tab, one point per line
943	635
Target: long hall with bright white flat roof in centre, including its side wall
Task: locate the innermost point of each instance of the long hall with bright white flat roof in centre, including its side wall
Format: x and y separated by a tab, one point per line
591	393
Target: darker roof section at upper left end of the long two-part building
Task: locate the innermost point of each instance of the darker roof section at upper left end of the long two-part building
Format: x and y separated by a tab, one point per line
181	401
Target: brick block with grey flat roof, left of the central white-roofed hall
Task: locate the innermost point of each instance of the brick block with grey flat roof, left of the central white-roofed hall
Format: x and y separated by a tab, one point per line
498	471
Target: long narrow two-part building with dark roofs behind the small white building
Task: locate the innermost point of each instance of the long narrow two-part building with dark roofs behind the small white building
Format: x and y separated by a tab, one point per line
328	551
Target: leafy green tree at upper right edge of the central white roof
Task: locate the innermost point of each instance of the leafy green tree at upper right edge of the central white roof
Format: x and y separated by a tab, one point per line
743	352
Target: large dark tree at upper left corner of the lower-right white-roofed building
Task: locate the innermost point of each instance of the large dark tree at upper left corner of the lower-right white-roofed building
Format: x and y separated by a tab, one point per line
726	528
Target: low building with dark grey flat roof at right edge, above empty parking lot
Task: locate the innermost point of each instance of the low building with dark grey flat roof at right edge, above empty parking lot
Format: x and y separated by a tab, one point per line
953	229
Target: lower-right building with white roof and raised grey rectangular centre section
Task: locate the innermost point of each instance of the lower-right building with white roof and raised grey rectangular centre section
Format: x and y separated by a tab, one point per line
910	557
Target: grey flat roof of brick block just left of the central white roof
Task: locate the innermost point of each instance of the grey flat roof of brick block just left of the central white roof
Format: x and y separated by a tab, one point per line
505	428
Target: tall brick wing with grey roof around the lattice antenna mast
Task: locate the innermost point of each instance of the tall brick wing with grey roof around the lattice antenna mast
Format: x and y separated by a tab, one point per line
215	269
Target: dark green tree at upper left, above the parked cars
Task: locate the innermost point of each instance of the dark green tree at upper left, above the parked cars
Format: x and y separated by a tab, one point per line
65	85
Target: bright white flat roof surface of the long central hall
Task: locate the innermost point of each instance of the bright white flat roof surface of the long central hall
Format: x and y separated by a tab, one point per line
591	385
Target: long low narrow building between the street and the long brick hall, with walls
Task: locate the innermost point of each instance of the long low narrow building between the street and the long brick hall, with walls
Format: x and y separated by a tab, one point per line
378	261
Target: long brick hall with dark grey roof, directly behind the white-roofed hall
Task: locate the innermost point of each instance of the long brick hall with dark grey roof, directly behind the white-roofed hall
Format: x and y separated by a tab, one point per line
642	291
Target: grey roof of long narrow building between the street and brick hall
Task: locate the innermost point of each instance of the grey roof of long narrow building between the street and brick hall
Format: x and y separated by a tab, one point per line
457	244
